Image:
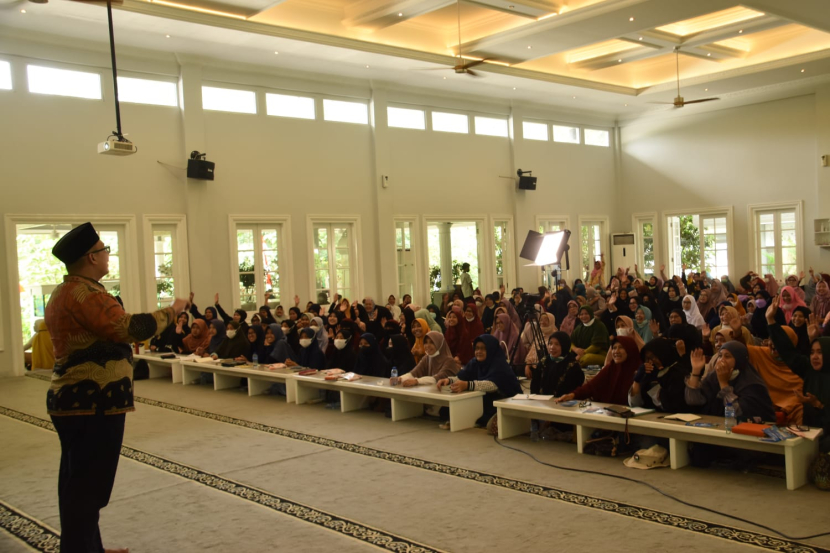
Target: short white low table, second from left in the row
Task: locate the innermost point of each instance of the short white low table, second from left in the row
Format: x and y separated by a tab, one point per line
259	379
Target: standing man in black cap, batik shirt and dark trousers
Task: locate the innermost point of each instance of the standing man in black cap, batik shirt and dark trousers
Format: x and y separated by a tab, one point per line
92	385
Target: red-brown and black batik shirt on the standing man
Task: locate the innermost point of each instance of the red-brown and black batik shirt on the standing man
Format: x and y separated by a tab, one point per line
91	336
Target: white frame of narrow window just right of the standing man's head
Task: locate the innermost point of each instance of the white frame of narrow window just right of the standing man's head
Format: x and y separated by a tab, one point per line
181	258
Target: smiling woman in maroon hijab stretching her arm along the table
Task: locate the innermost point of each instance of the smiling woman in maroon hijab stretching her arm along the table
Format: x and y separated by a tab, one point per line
612	383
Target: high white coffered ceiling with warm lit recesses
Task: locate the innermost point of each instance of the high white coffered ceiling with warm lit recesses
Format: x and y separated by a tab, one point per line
614	57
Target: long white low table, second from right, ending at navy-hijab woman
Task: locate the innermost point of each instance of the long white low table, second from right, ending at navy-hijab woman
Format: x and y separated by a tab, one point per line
465	408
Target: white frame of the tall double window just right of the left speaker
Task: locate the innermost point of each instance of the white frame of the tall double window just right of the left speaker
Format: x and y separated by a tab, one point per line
283	224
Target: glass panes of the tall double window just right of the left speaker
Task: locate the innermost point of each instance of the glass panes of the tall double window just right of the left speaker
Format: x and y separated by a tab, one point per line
258	244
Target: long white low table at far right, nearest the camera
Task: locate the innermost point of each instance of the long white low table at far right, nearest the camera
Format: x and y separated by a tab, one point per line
514	417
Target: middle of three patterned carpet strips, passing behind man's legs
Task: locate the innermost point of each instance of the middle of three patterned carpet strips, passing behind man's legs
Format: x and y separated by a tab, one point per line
343	526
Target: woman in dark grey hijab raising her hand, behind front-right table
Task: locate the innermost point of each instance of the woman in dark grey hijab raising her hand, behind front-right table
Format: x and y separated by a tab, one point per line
734	381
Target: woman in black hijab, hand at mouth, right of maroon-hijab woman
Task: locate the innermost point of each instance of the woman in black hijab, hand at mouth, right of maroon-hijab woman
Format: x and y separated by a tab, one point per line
660	383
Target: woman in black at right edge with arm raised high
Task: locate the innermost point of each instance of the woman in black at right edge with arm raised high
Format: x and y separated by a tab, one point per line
814	370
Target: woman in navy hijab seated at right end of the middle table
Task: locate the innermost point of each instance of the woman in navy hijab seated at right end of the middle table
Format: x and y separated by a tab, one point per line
487	372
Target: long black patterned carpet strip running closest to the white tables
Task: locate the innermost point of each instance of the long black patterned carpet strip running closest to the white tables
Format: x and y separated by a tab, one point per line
605	505
